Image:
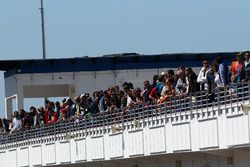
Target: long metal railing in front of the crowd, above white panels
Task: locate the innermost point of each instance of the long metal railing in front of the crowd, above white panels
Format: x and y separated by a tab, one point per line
177	108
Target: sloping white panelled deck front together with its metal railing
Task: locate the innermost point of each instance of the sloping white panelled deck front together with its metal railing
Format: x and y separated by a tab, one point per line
182	126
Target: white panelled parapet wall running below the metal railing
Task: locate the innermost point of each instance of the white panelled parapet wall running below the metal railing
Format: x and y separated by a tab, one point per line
180	139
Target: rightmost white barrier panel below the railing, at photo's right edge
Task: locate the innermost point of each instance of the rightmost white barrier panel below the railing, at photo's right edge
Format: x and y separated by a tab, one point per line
237	130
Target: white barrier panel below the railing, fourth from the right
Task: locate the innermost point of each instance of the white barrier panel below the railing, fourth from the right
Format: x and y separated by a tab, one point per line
157	140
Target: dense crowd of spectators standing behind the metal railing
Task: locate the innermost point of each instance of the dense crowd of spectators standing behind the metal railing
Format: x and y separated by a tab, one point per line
212	76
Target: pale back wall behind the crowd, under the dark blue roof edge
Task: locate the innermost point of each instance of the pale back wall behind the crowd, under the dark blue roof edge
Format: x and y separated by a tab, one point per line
81	81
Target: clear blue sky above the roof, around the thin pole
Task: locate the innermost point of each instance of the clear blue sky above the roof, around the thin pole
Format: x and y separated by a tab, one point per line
94	28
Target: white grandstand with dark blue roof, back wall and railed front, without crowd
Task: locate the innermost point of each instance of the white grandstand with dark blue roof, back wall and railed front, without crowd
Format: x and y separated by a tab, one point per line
182	133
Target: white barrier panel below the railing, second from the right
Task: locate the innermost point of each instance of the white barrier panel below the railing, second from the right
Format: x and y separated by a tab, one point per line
208	134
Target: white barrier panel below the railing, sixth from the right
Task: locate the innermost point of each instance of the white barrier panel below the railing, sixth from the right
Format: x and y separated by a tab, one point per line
116	145
